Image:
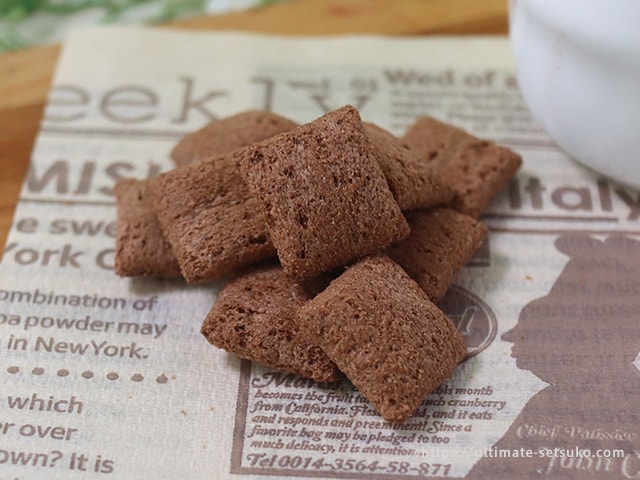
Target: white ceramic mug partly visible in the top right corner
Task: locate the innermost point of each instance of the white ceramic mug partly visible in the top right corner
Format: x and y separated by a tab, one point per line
578	67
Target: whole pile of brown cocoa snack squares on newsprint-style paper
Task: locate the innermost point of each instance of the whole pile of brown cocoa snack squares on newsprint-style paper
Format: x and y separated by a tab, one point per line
338	239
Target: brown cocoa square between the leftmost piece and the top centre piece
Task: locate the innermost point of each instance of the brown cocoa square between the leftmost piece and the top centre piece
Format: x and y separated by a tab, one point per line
209	216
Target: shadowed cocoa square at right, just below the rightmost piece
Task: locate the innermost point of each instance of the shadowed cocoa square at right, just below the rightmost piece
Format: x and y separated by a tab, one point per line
441	242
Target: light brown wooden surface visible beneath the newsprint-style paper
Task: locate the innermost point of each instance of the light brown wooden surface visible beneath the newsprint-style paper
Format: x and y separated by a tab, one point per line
25	75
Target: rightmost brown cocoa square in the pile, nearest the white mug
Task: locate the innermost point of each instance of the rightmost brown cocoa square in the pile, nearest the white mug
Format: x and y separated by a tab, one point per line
476	169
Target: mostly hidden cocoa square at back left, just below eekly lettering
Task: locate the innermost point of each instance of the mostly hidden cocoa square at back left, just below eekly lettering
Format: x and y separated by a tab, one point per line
227	134
